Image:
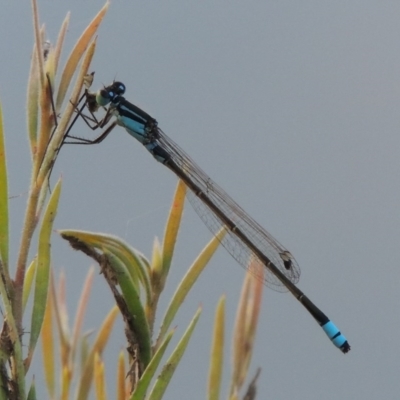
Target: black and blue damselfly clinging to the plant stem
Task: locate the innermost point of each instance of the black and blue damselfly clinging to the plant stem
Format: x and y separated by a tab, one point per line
245	237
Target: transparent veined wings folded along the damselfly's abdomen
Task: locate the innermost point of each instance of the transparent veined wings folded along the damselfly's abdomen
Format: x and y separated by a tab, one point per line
257	235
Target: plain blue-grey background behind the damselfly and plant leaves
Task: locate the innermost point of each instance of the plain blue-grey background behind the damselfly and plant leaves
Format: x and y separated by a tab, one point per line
292	107
